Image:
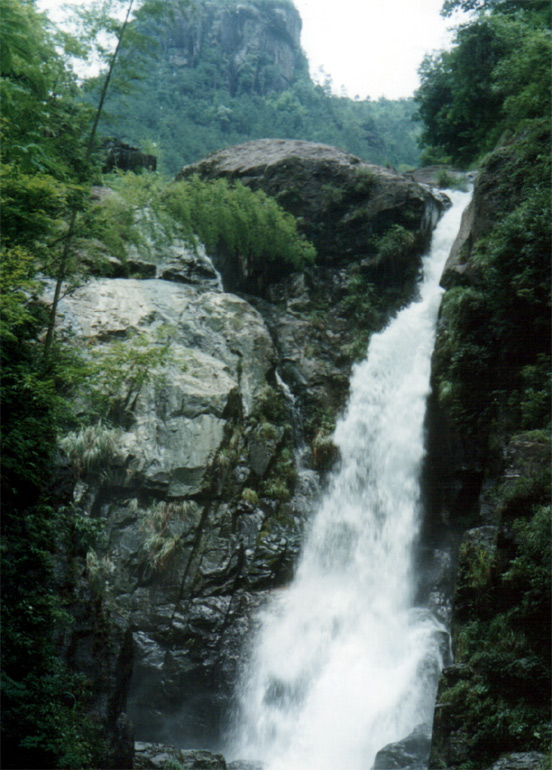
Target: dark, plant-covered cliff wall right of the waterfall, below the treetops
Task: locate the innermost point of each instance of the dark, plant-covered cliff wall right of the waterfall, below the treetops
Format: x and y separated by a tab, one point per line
488	486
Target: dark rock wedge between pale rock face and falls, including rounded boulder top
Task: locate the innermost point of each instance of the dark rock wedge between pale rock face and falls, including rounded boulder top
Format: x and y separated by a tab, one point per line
370	226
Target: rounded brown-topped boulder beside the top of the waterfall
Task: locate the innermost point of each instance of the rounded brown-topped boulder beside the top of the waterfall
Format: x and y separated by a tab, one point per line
342	202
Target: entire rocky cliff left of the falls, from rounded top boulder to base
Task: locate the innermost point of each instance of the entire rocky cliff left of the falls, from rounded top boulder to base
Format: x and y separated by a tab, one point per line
196	485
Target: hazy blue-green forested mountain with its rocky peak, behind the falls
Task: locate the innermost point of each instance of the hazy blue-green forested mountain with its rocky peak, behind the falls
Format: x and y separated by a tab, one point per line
217	74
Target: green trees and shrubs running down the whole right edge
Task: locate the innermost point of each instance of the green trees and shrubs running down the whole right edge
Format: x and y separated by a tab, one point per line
492	368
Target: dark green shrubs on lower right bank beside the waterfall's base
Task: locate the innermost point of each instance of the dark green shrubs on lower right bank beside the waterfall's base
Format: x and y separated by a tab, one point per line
504	642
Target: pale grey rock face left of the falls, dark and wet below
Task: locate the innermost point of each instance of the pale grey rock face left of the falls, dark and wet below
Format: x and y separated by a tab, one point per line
195	514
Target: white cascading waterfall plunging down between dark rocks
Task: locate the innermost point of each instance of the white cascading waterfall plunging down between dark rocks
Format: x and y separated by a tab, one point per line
342	663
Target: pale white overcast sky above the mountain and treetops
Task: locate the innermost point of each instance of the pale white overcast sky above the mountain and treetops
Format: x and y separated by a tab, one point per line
369	48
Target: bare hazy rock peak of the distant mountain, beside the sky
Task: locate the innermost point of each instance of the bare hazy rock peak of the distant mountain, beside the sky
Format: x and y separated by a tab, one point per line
261	45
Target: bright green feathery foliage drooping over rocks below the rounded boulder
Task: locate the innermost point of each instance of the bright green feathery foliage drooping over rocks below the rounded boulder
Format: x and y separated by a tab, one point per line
229	218
